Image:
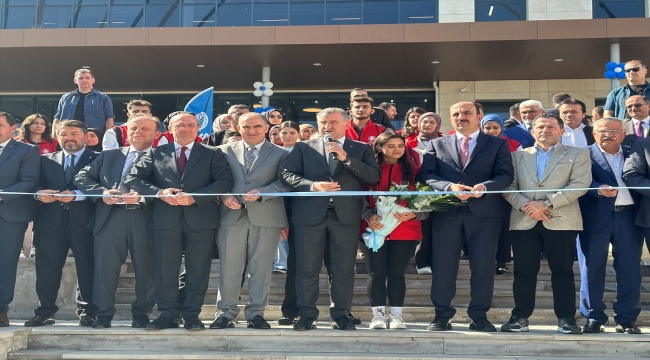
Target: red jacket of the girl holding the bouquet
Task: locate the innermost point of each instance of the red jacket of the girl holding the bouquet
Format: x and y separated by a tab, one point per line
392	173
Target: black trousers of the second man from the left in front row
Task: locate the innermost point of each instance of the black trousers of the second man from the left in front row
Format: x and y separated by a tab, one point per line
51	253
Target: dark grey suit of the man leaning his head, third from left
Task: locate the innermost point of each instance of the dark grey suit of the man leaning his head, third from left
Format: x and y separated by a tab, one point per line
118	230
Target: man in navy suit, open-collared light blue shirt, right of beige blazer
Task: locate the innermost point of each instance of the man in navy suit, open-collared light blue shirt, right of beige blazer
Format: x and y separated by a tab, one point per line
608	217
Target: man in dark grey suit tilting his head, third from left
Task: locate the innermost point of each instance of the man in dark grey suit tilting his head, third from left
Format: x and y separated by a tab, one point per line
120	225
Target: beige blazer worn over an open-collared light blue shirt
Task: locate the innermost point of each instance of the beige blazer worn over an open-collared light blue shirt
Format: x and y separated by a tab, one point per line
568	167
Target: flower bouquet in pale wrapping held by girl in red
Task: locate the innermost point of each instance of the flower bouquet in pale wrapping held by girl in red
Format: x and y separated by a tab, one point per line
388	206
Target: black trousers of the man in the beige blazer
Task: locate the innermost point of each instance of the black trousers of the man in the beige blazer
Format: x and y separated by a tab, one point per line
560	250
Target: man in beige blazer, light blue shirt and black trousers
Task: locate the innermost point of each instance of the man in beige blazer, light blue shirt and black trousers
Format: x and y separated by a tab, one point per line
549	218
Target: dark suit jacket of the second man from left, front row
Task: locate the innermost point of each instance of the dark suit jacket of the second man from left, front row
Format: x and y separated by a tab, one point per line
53	177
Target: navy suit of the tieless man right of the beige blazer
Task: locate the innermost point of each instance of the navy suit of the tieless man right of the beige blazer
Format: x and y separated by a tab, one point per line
604	225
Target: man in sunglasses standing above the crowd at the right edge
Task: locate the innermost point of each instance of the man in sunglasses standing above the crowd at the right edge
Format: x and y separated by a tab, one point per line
635	72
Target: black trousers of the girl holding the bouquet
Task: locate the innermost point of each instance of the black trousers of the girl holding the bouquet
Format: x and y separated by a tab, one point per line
388	263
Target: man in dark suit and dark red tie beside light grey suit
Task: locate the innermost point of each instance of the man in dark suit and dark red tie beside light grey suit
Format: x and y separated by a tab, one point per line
182	222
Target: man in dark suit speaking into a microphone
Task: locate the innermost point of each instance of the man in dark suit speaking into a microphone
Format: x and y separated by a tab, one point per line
322	222
